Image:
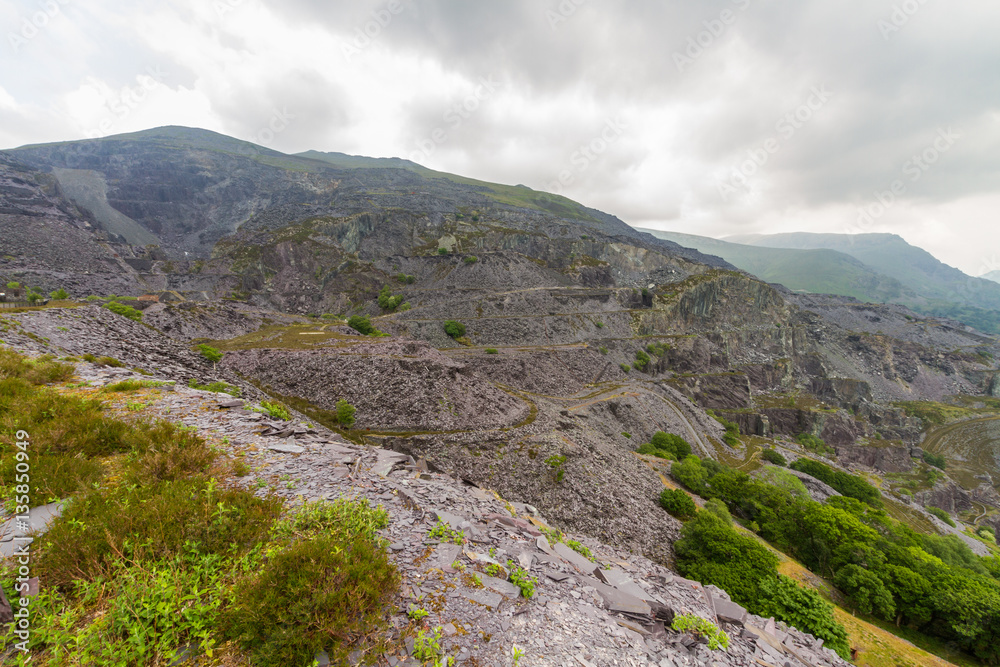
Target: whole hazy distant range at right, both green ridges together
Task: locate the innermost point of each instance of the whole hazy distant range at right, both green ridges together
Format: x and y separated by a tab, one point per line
881	268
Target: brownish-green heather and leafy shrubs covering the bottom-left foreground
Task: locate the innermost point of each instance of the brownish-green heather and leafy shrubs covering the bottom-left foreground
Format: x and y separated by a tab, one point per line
156	550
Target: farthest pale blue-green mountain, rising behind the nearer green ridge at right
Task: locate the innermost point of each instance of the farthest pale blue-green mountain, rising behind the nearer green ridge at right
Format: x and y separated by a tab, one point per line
938	289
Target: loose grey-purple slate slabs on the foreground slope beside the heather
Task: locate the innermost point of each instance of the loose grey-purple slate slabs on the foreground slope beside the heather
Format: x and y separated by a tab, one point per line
615	610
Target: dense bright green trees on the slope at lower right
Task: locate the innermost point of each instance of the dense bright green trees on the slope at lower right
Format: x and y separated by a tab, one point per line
930	584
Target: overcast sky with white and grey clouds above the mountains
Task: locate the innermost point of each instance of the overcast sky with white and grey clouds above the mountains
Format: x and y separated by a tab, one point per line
716	117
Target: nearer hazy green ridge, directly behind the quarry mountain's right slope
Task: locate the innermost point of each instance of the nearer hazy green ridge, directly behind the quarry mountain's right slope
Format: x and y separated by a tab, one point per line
816	271
